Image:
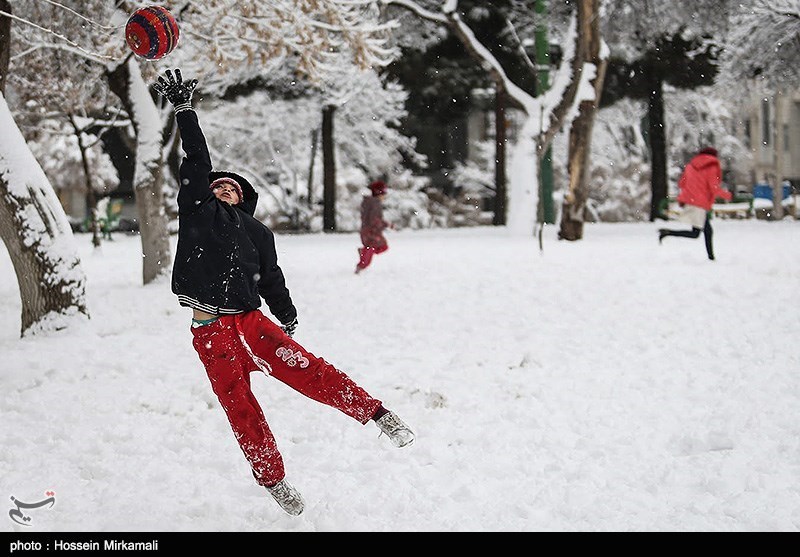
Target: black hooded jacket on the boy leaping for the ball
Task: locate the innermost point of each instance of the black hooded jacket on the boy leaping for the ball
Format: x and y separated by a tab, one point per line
225	258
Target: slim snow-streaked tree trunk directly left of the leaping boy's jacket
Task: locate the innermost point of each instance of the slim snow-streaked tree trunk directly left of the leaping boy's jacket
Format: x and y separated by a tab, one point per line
126	82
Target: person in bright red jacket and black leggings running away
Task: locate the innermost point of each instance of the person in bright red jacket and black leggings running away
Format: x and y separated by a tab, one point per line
700	185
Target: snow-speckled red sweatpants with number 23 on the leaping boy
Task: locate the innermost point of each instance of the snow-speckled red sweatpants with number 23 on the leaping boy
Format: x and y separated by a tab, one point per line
233	346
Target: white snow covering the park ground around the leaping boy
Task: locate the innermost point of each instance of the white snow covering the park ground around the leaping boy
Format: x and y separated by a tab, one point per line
610	384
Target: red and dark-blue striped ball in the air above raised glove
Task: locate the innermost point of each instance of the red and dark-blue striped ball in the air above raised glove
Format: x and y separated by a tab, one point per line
152	32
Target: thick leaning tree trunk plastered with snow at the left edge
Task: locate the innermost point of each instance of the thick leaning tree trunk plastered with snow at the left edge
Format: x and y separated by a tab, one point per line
38	237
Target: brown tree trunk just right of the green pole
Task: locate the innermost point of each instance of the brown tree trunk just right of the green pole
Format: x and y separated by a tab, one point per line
580	133
